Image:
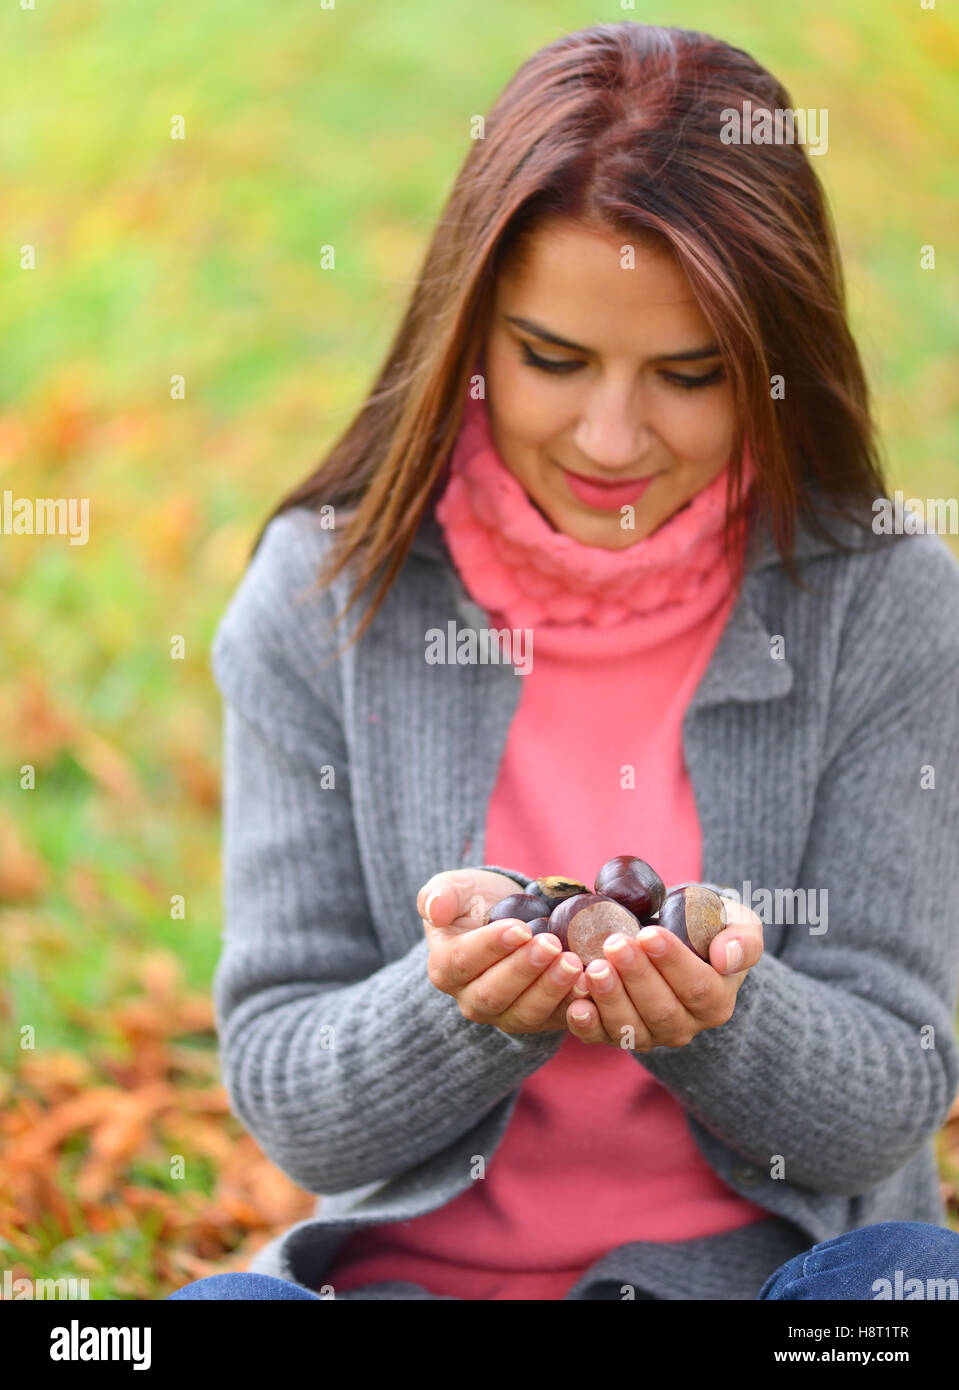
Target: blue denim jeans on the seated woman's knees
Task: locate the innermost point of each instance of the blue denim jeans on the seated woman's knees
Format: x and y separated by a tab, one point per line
865	1264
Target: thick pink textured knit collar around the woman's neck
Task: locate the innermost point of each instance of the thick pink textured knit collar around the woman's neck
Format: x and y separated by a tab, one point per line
577	597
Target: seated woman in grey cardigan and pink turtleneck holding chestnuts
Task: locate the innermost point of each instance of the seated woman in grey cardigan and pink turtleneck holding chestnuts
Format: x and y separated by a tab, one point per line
625	432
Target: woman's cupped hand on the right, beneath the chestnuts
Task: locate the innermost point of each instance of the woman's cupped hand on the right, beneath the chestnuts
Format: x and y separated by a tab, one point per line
647	1000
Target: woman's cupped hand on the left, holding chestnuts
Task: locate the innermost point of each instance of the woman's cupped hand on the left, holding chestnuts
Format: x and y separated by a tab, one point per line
521	986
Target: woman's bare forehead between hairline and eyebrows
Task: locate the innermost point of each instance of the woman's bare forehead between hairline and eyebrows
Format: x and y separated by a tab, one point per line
601	290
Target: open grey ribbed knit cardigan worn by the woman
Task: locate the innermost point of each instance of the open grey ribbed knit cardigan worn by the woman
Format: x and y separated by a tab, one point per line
828	762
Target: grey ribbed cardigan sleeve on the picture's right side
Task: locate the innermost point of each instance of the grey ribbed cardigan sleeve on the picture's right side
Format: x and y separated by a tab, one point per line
842	1057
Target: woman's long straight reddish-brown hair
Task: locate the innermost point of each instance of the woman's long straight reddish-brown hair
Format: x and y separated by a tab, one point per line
619	126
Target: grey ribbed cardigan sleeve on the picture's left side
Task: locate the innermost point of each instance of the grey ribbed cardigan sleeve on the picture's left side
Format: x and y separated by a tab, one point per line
347	1068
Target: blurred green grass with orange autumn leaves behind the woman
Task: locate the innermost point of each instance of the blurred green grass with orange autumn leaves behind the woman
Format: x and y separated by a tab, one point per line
199	258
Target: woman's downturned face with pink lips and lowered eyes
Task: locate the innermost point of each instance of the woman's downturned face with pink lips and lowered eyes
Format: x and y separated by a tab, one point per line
622	408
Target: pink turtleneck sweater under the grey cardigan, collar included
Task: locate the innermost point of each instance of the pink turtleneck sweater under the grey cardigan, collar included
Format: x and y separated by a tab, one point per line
597	1153
